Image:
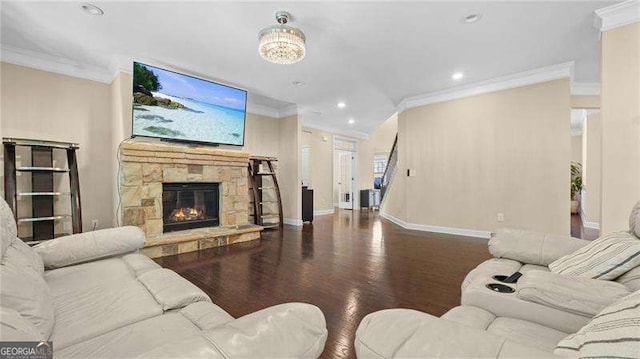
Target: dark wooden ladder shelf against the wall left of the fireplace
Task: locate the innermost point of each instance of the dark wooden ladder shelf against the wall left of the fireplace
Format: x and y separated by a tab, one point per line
42	192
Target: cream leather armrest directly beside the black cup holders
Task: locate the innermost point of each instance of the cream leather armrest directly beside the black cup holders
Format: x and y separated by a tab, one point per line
583	296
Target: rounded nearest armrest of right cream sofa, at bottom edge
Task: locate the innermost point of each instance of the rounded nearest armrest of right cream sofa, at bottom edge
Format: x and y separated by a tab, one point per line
405	333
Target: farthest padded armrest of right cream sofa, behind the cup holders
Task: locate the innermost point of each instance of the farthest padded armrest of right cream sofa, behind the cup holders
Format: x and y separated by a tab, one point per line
532	247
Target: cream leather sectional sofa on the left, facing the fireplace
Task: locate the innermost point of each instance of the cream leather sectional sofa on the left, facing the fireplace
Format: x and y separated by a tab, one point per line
93	296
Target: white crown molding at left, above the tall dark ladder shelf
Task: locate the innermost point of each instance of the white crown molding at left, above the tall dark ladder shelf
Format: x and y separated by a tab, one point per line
59	65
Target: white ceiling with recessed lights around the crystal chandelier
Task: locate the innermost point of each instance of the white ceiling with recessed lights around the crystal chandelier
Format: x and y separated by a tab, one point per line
371	55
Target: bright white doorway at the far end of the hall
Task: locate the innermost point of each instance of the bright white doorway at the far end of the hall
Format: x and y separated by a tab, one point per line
345	159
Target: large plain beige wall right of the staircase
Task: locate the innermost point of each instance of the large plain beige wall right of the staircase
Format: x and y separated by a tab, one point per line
503	152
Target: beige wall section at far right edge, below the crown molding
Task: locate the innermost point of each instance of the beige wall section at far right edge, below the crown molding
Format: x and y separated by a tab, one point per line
620	78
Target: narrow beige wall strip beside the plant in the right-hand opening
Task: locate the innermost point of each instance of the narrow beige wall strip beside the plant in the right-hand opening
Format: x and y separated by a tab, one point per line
592	168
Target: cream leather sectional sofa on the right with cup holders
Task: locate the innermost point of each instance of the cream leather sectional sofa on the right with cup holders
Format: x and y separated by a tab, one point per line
542	309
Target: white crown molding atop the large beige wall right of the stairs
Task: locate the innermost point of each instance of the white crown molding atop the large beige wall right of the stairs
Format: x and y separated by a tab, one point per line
544	74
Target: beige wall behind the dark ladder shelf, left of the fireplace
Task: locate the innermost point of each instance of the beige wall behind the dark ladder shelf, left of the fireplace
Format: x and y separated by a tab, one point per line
44	105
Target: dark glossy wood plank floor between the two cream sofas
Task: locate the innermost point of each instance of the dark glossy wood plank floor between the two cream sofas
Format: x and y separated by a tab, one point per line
348	264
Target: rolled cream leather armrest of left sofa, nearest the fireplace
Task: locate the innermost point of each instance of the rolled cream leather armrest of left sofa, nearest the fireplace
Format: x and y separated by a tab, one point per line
89	246
